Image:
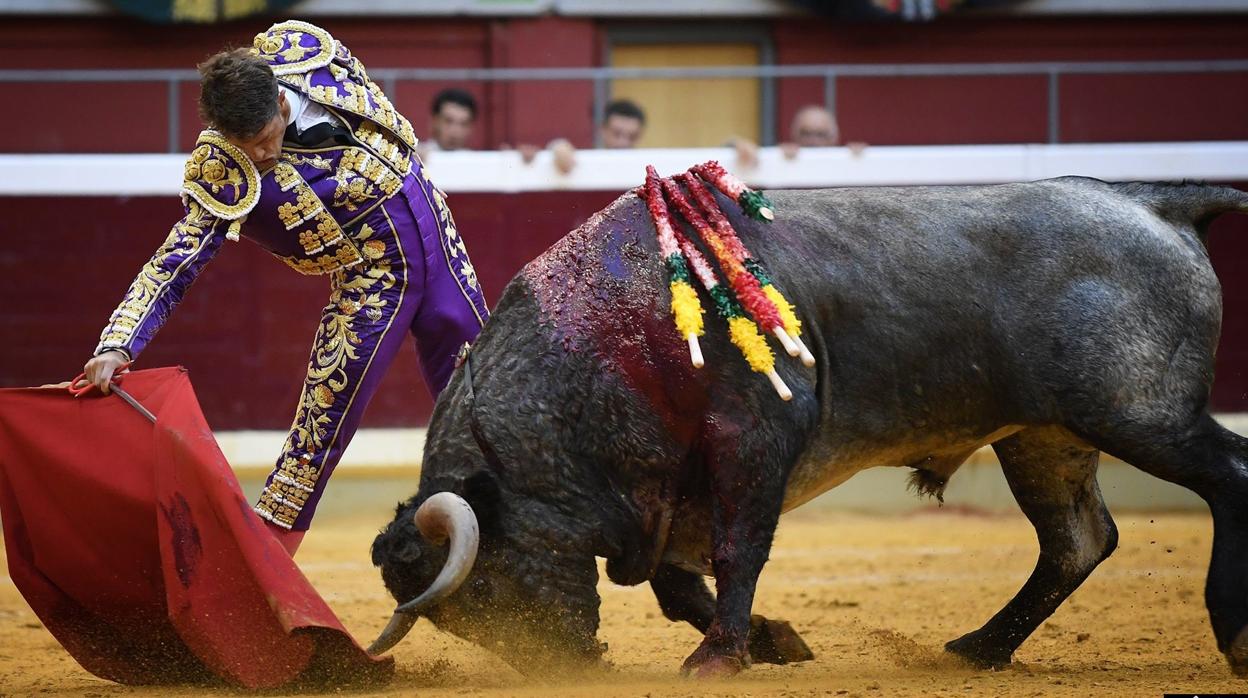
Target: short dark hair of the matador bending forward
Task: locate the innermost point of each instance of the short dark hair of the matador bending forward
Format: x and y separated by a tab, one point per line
238	93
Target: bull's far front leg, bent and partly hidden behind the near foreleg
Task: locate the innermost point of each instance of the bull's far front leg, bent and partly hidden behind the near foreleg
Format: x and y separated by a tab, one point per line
683	596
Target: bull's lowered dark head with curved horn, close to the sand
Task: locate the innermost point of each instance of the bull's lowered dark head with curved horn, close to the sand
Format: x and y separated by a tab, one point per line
505	586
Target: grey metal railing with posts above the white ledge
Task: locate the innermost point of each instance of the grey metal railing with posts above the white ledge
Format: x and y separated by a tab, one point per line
601	78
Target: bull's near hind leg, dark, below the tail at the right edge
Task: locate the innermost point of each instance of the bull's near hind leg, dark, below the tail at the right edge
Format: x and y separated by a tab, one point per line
1212	463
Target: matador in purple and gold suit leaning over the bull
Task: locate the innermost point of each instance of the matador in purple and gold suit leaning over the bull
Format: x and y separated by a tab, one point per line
306	157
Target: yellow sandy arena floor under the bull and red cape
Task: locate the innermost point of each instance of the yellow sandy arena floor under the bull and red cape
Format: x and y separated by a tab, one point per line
875	599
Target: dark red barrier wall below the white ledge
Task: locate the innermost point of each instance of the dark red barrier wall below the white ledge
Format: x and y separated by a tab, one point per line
246	327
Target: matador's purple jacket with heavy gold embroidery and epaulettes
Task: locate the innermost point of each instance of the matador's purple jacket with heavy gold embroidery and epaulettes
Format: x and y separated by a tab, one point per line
304	210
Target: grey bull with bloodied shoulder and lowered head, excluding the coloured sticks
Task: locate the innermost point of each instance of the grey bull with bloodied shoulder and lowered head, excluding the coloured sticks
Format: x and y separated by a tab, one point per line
1053	320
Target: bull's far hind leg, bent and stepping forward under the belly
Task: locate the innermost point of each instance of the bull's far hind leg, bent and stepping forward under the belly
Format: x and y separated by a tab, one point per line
1054	479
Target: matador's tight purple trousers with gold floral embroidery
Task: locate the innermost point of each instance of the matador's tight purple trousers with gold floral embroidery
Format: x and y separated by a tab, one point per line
416	280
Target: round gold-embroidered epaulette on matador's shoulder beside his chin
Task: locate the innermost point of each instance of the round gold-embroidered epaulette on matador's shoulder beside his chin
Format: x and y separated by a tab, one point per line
223	179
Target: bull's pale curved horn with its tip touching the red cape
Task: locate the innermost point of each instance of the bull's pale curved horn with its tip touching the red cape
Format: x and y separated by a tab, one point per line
441	518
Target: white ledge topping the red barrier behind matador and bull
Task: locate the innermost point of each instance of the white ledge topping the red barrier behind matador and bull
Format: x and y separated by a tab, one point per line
620	170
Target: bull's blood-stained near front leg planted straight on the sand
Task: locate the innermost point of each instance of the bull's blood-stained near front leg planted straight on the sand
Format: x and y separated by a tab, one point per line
748	478
